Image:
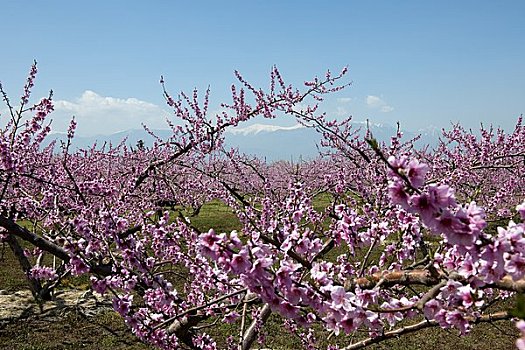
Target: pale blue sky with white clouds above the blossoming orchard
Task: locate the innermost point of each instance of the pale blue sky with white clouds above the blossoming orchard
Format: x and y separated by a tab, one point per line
422	63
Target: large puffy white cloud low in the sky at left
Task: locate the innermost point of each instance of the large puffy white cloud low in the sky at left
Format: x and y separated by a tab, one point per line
96	114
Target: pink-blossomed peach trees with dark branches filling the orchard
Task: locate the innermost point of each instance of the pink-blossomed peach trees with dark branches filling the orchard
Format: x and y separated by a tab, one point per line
429	237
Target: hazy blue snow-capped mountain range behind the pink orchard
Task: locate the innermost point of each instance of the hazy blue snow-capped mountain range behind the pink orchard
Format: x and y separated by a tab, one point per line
263	140
